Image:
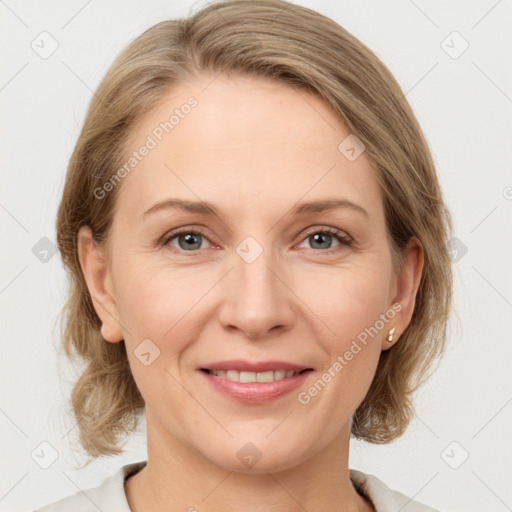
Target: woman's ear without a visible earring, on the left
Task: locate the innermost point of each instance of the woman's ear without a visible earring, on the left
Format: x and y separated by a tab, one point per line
99	283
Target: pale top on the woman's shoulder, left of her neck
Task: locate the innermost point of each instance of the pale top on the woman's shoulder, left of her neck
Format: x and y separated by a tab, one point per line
109	495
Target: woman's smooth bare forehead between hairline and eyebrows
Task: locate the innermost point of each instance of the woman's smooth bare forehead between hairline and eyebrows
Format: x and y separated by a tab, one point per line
243	141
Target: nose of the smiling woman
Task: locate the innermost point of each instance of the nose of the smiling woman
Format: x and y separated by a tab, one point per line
257	300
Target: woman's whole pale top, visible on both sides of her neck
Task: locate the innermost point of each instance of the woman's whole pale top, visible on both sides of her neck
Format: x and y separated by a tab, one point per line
110	495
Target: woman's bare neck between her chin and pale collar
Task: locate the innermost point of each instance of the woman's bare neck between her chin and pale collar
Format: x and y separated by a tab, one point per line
178	478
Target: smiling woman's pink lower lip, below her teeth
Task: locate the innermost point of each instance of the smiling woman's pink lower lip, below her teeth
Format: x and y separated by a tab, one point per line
256	392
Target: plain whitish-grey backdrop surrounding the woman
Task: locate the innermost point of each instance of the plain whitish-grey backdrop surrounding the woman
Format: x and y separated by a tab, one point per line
457	454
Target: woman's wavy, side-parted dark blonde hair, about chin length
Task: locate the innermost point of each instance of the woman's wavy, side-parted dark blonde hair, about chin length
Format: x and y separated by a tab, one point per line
306	50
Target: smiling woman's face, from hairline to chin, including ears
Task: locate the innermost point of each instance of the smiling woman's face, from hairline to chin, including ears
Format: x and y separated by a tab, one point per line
292	268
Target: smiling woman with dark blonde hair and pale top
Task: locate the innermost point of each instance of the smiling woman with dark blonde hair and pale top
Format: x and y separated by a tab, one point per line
255	236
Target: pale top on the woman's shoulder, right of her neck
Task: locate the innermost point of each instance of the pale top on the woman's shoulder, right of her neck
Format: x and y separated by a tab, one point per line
385	499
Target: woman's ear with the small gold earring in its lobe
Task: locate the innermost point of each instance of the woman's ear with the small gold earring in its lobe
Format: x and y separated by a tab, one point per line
407	282
